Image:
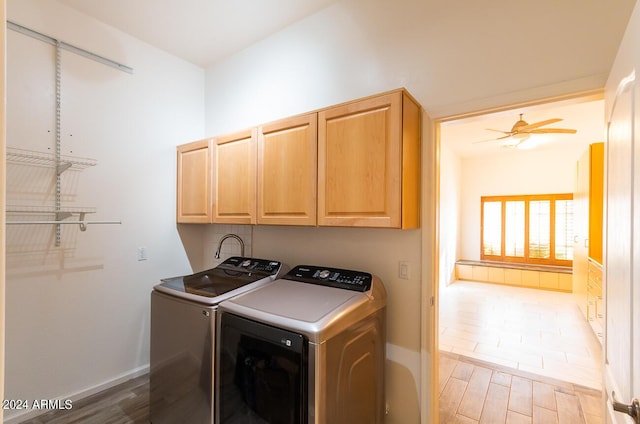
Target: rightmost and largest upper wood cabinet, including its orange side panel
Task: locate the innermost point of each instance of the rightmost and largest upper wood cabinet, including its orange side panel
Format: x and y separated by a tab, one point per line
369	163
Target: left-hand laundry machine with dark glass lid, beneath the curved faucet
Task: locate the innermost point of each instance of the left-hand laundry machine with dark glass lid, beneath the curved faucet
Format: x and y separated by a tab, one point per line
183	322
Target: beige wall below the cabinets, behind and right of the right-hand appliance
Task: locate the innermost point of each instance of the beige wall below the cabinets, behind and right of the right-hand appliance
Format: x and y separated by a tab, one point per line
376	251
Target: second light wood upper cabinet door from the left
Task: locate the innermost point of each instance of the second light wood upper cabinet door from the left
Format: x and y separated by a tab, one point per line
234	175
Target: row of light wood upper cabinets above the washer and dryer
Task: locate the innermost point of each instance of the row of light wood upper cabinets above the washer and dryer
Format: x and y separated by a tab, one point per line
355	164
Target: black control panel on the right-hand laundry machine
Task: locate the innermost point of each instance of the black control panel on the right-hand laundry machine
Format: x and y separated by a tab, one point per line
332	277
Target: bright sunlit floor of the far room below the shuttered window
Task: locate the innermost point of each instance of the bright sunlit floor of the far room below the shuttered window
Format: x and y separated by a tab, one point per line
537	331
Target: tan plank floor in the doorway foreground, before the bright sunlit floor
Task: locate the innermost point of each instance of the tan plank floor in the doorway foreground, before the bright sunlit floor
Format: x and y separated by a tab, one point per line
474	391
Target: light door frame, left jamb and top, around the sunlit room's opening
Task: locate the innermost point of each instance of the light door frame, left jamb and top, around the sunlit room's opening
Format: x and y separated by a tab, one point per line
430	357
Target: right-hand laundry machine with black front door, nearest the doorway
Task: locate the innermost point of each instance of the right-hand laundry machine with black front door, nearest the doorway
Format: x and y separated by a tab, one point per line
306	348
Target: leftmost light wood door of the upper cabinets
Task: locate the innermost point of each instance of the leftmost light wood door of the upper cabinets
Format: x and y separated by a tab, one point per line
194	182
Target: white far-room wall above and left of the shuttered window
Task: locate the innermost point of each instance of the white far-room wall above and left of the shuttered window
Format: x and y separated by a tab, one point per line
519	172
